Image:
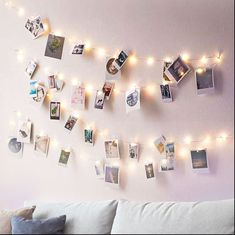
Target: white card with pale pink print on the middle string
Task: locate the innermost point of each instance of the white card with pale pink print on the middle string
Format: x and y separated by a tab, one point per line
78	97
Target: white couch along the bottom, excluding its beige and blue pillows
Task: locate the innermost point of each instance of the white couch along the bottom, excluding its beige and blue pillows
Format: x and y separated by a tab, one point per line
124	217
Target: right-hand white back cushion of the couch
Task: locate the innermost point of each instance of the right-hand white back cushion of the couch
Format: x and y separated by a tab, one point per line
174	218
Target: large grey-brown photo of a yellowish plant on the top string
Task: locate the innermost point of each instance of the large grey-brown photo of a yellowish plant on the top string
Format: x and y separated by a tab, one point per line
54	47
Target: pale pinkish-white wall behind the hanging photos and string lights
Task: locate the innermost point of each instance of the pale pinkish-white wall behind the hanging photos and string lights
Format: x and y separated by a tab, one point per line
151	27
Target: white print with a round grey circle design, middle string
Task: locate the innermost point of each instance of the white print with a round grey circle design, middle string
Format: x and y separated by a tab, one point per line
132	100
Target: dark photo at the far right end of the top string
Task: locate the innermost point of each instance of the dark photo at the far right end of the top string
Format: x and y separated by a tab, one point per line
205	81
